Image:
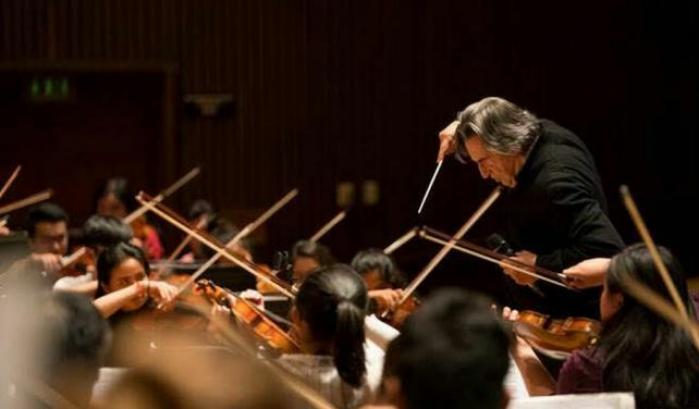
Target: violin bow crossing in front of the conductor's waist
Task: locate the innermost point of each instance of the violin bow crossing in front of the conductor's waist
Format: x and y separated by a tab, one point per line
494	257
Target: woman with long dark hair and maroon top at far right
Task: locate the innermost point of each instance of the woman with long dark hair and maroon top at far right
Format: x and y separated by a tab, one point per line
637	351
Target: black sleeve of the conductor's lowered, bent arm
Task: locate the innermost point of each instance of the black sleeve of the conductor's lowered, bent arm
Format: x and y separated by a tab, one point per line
589	231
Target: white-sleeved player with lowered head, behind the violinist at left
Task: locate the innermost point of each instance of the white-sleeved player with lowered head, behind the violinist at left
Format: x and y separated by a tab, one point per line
99	233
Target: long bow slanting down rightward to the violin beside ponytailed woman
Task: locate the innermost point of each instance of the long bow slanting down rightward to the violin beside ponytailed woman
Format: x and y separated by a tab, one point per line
177	221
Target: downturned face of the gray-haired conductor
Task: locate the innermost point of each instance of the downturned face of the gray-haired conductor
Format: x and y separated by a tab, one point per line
501	168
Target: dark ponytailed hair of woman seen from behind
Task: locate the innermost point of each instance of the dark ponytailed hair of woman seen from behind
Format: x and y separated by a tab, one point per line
333	302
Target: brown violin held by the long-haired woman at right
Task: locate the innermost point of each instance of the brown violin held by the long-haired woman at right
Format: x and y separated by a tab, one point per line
556	338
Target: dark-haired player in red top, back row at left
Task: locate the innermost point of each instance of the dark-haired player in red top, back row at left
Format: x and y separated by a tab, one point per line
114	198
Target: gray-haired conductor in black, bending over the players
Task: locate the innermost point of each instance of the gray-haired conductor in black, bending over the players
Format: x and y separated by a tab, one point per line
555	207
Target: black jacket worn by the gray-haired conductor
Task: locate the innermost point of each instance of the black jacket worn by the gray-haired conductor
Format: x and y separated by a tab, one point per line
557	210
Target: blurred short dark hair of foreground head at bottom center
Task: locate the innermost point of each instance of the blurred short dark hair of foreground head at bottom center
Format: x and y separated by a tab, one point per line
452	353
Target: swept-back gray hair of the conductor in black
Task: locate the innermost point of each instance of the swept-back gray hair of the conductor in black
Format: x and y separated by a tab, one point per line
503	127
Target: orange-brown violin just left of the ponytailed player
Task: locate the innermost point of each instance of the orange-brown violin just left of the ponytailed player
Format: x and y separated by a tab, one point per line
264	329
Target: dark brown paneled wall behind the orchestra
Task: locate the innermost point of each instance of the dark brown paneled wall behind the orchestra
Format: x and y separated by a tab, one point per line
334	91
